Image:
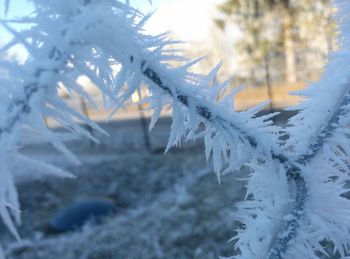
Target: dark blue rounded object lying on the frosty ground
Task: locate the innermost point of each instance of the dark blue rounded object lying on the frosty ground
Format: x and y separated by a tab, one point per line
79	213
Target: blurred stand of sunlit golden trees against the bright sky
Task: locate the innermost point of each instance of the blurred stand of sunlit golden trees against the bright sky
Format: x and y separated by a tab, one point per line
283	41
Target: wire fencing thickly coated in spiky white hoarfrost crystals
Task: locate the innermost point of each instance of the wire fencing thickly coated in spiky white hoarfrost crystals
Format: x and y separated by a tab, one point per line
295	190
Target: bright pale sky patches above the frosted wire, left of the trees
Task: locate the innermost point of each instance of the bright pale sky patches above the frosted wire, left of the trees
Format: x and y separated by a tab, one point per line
188	20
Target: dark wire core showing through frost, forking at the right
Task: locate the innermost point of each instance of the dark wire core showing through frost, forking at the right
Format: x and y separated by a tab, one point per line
293	171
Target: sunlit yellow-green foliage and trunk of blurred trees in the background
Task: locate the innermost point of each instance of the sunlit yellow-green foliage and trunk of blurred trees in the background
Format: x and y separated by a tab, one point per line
278	27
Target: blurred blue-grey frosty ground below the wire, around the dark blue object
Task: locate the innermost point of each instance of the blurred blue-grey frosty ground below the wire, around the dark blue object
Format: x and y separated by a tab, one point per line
168	206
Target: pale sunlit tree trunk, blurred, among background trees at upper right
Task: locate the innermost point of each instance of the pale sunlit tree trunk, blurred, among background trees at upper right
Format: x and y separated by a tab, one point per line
289	50
